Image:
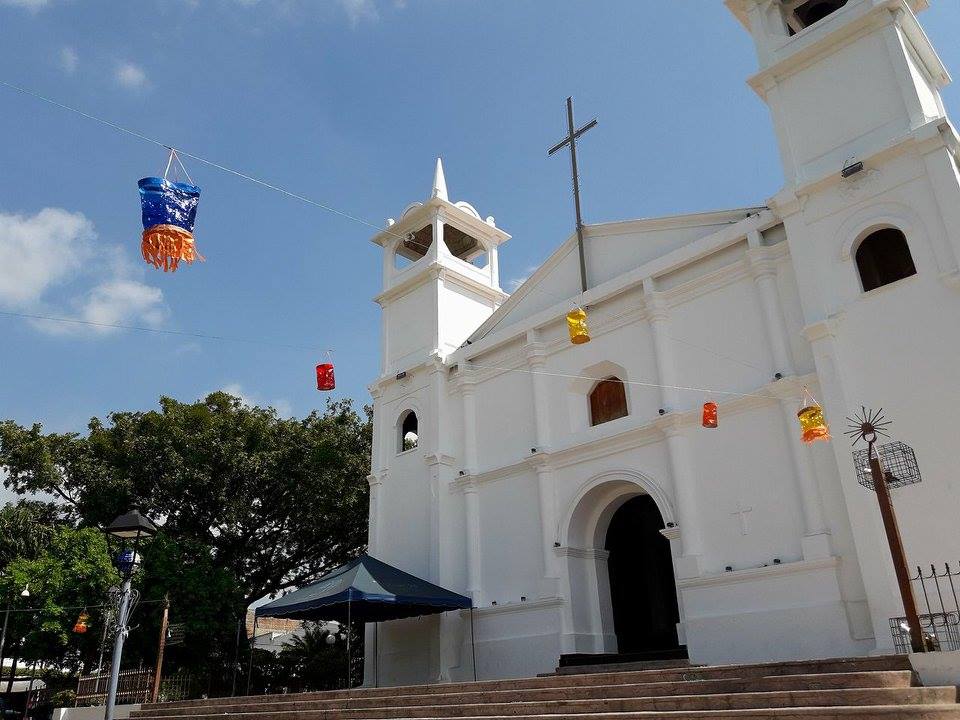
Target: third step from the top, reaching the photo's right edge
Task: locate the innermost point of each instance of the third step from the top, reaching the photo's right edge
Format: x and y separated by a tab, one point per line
616	708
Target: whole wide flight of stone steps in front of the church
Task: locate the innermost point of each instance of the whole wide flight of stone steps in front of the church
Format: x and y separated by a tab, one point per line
848	688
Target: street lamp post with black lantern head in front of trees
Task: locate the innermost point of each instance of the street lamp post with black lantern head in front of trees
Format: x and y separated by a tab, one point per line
123	537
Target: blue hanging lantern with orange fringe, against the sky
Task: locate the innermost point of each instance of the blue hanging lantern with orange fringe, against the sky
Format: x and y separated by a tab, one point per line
169	212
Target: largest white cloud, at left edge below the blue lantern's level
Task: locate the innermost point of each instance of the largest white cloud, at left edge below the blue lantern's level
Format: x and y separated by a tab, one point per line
42	256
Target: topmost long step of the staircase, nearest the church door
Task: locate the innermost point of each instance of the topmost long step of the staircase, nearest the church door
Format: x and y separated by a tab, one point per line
715	672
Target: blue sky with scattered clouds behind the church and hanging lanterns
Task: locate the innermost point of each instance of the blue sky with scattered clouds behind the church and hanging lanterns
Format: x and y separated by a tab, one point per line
347	102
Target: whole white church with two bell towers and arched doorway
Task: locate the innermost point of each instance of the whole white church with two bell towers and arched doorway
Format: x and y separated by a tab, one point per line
572	491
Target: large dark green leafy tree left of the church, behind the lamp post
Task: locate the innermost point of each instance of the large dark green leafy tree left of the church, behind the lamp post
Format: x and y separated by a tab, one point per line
249	503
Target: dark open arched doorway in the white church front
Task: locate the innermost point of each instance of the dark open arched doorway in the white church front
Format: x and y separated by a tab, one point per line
643	593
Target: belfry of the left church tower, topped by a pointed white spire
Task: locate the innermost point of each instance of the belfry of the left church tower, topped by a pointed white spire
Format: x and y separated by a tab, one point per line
440	277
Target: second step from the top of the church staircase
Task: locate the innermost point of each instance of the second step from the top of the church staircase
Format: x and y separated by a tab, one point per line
782	683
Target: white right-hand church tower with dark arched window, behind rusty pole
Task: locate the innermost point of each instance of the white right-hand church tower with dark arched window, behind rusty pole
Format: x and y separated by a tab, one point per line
871	217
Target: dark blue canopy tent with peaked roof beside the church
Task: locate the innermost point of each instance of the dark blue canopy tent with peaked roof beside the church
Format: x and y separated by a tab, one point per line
368	590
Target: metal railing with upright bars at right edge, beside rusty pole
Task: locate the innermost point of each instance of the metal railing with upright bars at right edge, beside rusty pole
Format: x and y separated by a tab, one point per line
936	593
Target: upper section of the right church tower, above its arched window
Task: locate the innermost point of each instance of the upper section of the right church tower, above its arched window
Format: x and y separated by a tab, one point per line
842	78
